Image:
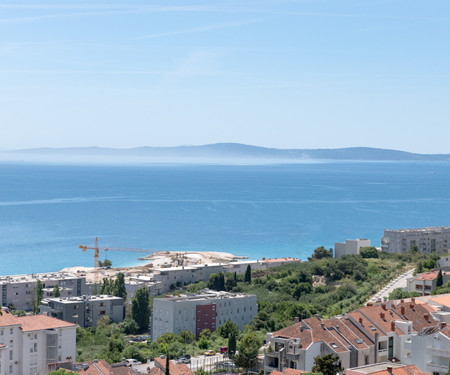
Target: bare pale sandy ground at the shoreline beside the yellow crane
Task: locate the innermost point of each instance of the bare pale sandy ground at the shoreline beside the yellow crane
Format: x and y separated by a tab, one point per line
157	260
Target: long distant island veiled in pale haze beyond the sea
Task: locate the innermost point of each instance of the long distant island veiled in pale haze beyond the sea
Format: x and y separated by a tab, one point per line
211	153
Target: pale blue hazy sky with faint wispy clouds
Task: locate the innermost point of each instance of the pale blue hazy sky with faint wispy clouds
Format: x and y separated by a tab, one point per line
303	74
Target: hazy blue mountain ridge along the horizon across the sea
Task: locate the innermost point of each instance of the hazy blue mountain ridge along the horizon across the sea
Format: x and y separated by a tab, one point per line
241	151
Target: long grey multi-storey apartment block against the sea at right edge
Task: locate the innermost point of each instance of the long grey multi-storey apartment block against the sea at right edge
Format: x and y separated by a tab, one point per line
427	240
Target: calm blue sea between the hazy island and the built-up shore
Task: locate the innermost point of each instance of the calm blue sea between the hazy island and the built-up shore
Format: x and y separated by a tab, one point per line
47	211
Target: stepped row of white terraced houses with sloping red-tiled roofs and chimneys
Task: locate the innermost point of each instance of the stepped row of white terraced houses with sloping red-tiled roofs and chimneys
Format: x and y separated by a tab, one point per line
371	334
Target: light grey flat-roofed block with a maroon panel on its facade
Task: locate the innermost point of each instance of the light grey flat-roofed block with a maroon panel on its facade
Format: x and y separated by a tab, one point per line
195	312
